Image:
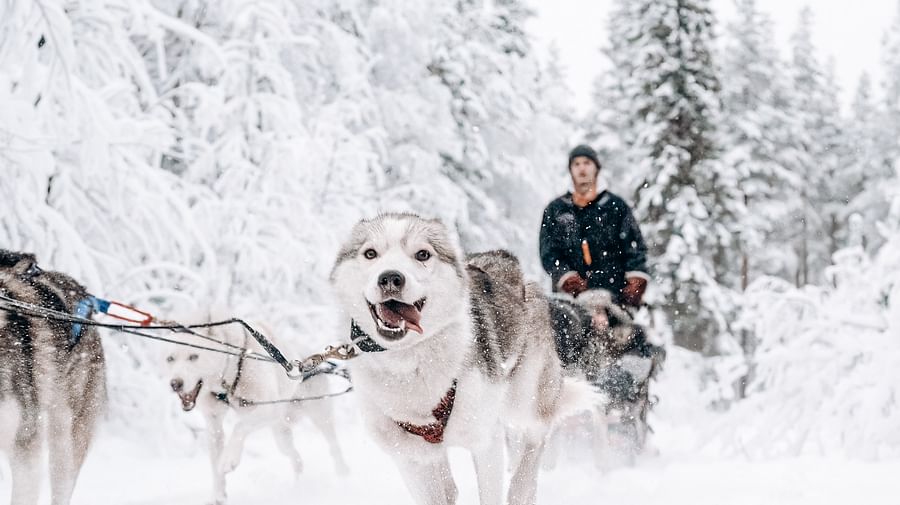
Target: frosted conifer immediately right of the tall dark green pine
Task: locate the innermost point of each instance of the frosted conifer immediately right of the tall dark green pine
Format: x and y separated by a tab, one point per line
756	133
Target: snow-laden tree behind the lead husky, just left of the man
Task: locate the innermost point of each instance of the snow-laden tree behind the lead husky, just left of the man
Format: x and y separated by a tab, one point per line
484	60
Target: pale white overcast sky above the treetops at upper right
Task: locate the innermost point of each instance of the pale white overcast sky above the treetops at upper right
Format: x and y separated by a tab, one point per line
850	31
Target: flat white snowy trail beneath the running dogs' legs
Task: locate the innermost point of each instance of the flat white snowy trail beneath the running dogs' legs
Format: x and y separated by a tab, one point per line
129	472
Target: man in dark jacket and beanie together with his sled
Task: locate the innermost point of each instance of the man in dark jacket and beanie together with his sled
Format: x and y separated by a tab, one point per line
591	246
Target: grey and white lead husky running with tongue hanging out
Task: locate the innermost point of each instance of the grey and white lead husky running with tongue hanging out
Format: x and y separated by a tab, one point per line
456	351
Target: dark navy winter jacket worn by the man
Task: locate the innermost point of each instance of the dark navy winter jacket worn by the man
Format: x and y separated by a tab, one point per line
613	238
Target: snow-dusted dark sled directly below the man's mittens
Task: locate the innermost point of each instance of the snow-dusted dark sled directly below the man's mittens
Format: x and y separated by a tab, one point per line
600	341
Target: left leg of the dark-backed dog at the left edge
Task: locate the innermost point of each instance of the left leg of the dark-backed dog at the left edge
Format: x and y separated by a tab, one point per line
25	462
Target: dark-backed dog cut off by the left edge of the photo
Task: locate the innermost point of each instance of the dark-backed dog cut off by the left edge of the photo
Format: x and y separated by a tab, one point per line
52	380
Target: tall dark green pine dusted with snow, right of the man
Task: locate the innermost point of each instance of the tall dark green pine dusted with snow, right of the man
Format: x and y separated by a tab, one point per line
687	200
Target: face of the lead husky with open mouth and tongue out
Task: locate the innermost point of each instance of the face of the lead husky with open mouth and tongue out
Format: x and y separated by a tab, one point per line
400	277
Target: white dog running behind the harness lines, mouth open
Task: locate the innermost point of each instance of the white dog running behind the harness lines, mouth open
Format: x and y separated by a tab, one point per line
217	383
